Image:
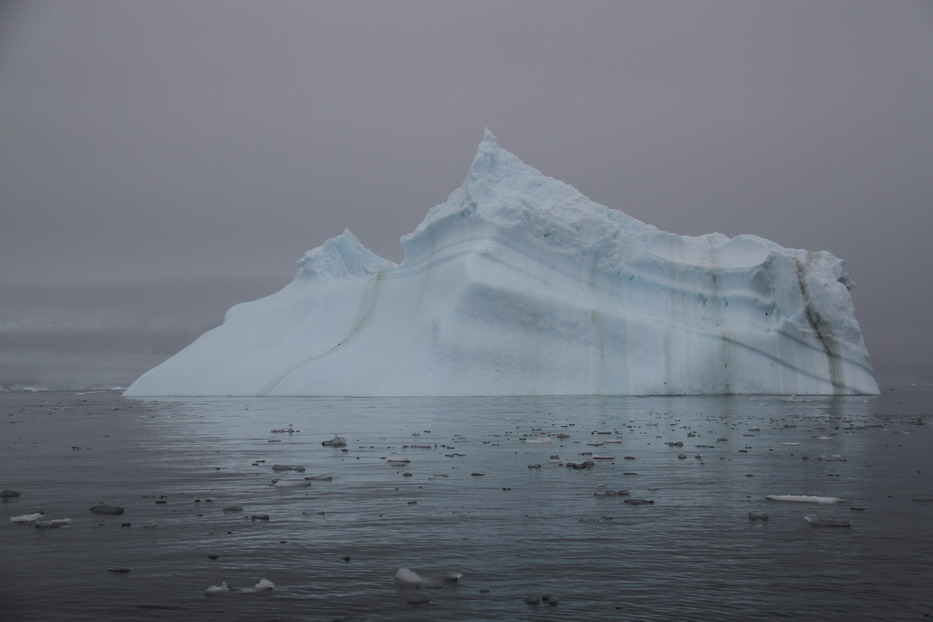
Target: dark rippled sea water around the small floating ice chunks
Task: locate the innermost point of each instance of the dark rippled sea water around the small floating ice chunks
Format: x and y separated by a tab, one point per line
468	503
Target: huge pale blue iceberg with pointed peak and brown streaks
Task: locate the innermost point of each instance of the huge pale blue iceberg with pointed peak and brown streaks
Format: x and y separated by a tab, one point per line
520	285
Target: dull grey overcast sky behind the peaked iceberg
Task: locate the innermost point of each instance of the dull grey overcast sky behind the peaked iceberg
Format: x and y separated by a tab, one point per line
163	160
